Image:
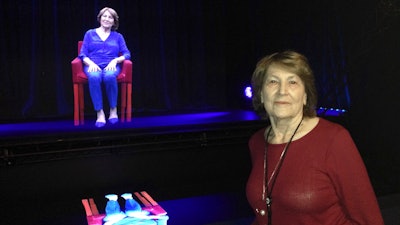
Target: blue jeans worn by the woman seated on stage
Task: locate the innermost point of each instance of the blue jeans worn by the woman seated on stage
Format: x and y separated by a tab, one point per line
95	80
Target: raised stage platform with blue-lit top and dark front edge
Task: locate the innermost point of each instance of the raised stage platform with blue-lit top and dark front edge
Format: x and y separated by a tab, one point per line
28	142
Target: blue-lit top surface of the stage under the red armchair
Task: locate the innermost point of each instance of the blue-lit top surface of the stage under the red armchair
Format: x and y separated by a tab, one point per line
139	123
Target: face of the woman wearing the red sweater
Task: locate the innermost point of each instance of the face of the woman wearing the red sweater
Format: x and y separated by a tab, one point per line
283	93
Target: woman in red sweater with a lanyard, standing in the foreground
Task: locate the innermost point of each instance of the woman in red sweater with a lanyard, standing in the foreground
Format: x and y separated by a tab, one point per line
306	170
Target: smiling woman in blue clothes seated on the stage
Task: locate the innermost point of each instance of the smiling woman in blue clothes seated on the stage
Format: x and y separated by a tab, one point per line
102	51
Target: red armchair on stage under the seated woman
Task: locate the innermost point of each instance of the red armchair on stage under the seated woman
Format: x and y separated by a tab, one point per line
79	79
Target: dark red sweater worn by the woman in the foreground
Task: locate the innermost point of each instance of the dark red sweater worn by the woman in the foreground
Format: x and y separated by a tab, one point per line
323	180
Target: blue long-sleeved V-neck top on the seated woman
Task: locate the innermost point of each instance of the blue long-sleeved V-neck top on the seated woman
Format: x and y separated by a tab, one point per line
102	52
